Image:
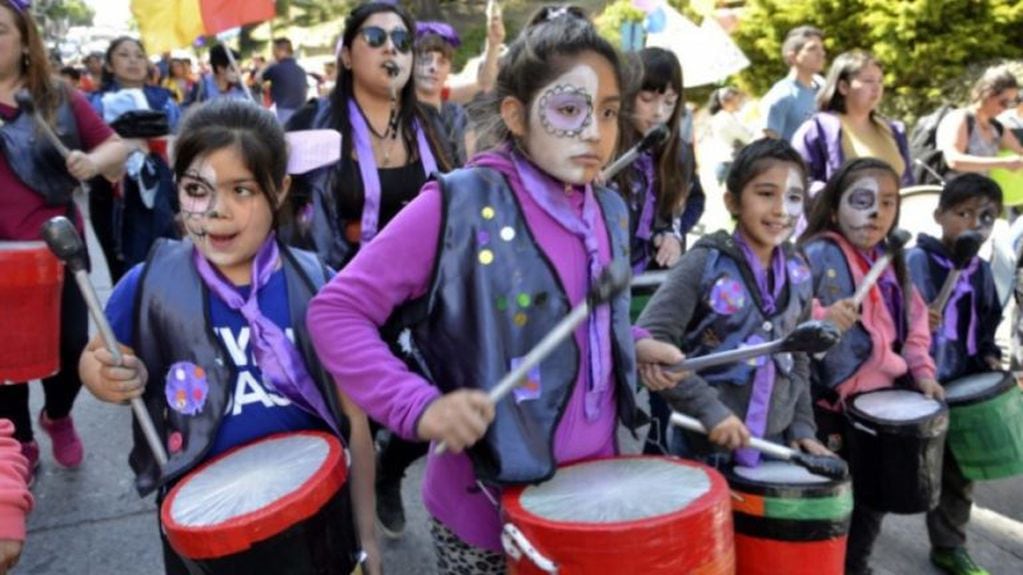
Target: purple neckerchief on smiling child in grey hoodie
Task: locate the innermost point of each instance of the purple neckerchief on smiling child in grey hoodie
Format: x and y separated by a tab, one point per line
764	378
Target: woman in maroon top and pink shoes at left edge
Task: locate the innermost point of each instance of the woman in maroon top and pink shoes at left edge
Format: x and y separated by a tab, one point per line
37	185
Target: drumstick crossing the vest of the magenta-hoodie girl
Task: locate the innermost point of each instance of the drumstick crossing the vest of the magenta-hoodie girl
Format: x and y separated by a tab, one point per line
612	281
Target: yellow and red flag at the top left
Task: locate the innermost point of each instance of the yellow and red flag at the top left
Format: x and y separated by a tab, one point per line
166	25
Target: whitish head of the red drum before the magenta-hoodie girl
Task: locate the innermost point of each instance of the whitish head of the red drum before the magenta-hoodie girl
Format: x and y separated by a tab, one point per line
616	491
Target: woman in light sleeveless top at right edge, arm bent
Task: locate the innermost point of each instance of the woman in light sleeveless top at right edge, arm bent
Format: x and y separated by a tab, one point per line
971	138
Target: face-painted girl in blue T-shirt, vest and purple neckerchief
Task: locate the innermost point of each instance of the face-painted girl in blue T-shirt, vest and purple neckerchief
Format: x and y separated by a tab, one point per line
213	326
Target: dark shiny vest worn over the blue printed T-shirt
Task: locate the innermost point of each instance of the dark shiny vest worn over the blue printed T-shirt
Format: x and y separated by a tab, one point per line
173	305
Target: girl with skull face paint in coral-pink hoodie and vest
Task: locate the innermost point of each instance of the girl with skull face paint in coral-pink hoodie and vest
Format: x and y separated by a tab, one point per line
885	342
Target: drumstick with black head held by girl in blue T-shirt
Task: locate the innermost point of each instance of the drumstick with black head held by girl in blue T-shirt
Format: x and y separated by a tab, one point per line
64	241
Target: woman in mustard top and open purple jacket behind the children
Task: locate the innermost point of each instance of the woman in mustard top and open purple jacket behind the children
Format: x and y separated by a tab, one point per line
849	124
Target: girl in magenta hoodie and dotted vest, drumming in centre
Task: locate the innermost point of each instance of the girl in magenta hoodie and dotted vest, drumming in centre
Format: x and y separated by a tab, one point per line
482	264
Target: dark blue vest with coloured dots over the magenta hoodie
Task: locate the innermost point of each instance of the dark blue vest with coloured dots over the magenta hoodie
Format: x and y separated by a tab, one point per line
495	295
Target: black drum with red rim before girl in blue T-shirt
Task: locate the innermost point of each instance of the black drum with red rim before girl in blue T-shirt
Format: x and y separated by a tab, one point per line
280	505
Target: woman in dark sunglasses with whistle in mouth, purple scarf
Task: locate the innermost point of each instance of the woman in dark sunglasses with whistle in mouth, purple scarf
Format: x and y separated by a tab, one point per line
388	145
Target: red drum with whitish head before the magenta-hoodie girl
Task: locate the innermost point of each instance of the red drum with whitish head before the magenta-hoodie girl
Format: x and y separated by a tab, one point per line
628	515
